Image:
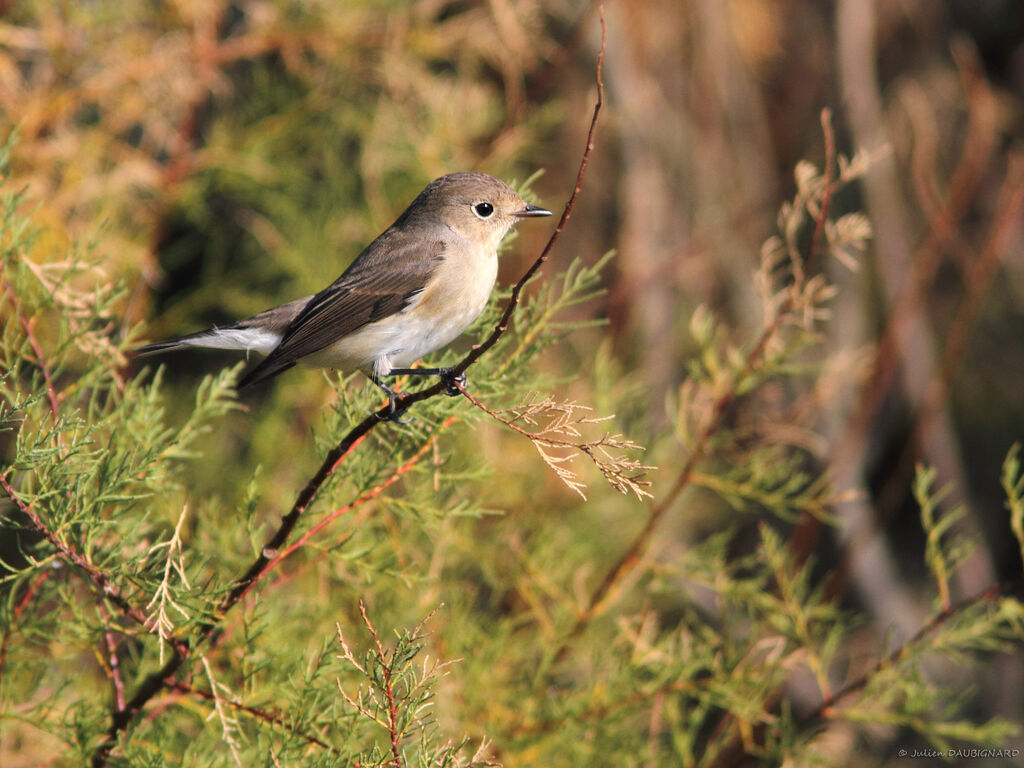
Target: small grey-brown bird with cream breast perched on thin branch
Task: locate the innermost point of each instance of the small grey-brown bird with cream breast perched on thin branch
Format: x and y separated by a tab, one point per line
412	291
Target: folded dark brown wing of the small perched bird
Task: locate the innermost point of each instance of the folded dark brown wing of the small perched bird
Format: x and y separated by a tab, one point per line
381	282
